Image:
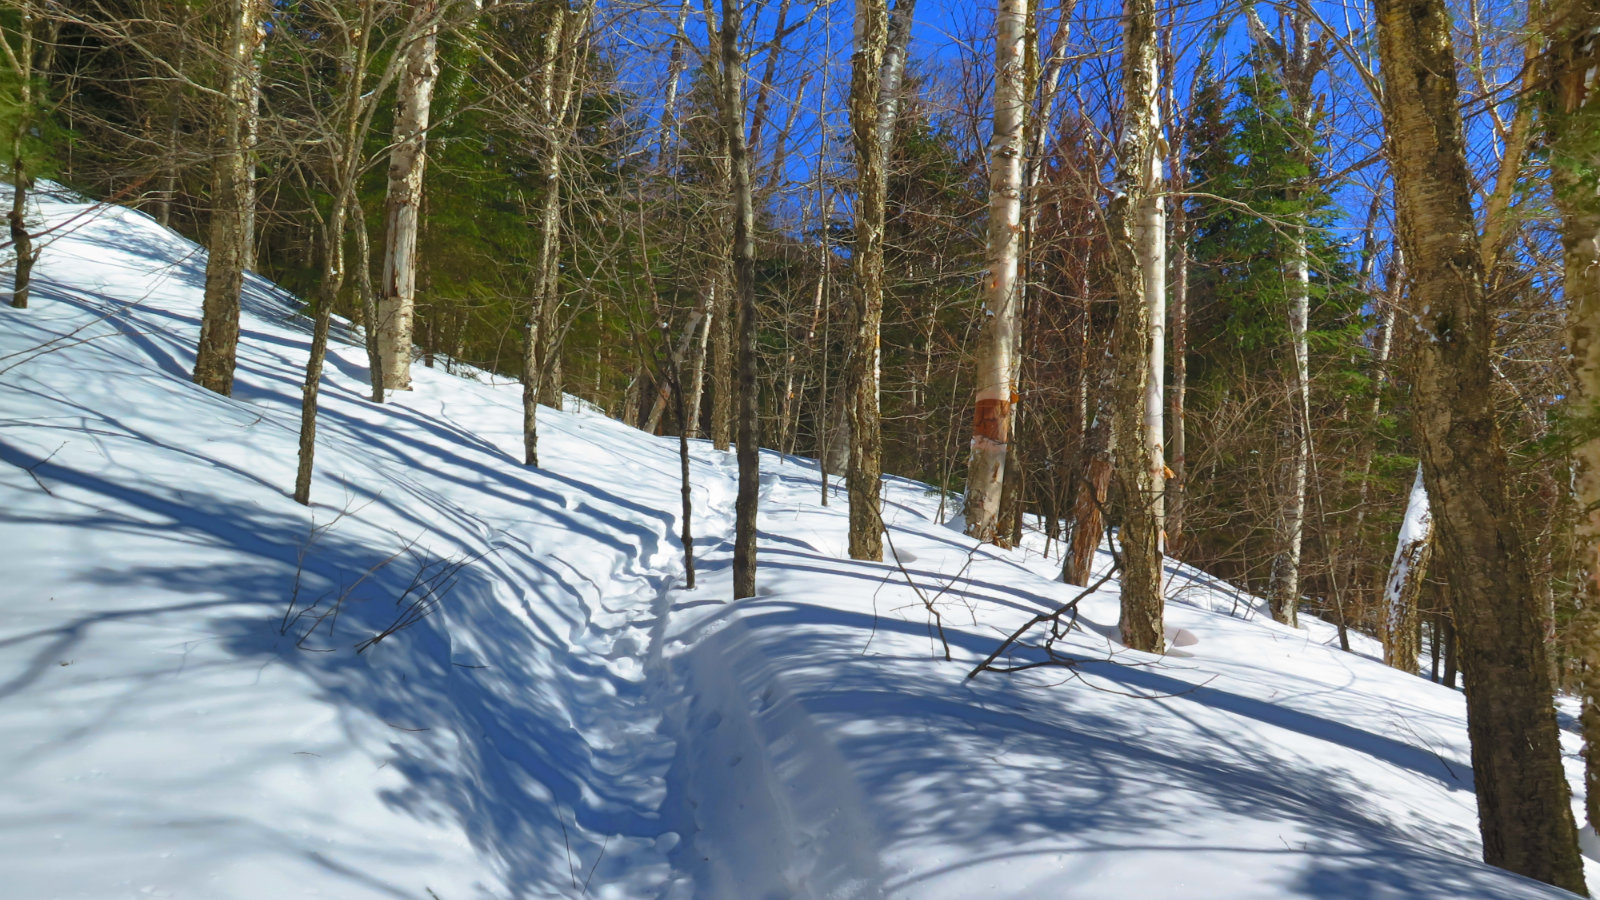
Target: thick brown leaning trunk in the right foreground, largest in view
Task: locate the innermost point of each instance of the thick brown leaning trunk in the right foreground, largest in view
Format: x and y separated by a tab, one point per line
1524	805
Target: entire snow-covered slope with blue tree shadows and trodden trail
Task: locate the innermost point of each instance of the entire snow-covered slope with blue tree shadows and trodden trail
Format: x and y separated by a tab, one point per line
186	713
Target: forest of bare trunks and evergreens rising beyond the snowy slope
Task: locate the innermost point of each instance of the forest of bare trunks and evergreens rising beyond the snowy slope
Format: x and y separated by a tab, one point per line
1300	294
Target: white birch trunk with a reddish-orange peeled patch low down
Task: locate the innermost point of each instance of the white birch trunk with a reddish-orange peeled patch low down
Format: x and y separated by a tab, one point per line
998	340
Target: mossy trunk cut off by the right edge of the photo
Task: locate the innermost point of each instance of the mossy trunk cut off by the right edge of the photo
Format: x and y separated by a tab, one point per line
1574	116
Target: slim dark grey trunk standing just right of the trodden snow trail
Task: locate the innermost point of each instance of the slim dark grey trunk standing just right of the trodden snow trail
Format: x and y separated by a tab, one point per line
745	286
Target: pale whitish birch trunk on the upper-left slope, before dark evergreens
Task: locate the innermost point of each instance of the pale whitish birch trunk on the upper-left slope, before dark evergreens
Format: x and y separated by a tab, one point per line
402	207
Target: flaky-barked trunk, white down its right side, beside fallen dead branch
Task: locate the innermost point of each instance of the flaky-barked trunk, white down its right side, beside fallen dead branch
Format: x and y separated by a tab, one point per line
1132	223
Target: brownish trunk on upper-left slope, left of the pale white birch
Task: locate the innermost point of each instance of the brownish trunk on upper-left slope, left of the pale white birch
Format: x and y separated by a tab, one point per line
225	270
